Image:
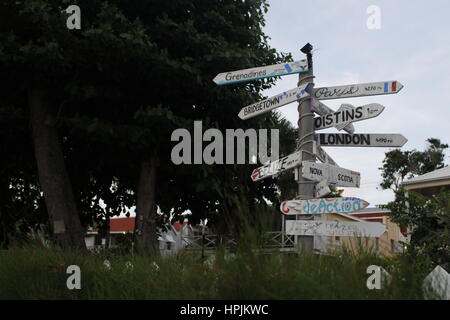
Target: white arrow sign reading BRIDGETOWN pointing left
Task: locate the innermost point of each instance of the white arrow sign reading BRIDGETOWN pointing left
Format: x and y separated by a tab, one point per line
277	101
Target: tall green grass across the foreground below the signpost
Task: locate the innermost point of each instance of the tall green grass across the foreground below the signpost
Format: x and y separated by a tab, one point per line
35	272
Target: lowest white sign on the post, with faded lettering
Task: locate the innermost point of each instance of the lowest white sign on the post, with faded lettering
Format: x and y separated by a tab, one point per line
334	228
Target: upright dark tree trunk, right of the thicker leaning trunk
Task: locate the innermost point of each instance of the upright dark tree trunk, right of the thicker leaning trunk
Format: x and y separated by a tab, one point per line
145	228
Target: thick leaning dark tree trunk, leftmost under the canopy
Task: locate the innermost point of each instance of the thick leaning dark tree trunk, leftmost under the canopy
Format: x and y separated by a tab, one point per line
53	176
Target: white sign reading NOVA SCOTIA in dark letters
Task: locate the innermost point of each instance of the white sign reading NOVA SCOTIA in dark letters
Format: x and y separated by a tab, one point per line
335	175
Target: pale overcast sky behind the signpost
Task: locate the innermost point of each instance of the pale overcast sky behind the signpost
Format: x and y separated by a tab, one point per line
412	46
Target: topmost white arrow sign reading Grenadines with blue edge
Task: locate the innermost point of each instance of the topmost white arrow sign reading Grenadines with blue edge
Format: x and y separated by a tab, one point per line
261	72
